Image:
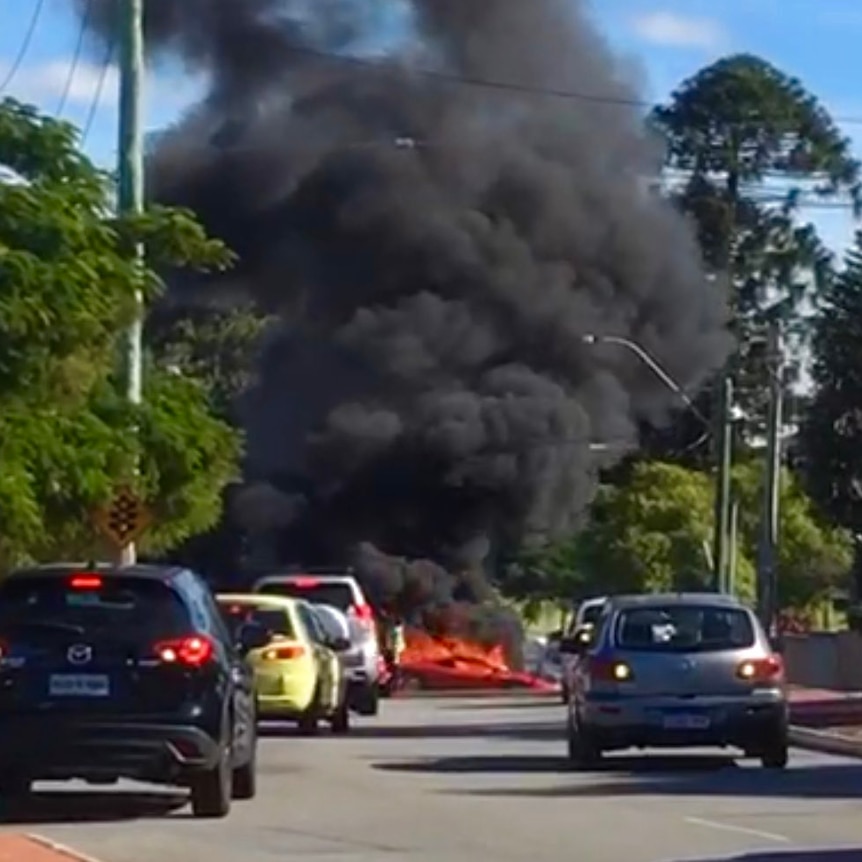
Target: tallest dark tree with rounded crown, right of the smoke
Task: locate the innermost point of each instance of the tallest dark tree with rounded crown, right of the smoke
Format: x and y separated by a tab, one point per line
746	146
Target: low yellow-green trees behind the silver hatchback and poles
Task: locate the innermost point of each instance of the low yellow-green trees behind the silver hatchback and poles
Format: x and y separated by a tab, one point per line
652	532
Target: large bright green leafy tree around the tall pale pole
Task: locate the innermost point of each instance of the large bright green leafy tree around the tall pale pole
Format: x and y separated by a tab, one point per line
66	291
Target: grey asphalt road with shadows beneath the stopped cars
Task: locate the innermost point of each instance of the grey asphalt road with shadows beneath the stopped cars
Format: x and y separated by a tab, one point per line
474	781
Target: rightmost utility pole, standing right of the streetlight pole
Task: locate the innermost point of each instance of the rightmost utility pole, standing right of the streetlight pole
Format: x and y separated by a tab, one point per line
767	583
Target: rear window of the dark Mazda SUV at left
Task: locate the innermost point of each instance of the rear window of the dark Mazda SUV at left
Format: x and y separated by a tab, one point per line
140	608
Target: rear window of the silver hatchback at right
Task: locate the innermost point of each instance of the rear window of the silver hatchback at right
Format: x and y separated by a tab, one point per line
684	628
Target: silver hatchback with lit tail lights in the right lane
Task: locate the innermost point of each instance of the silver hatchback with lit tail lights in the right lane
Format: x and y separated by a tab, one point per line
676	671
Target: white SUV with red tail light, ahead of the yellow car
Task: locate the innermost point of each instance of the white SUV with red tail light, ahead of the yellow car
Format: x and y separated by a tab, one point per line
343	592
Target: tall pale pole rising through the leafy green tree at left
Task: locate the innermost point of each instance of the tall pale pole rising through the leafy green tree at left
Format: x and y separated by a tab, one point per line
130	181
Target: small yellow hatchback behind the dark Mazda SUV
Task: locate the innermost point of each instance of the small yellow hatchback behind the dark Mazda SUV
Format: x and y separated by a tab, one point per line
299	675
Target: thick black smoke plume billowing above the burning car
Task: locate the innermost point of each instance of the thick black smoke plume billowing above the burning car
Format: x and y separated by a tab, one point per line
437	249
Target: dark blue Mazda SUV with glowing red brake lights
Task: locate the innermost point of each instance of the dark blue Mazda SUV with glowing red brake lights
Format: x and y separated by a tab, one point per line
109	673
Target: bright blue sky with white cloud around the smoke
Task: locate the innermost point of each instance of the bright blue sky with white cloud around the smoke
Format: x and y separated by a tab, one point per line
816	40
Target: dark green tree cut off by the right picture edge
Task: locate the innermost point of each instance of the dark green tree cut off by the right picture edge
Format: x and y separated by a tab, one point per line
831	438
